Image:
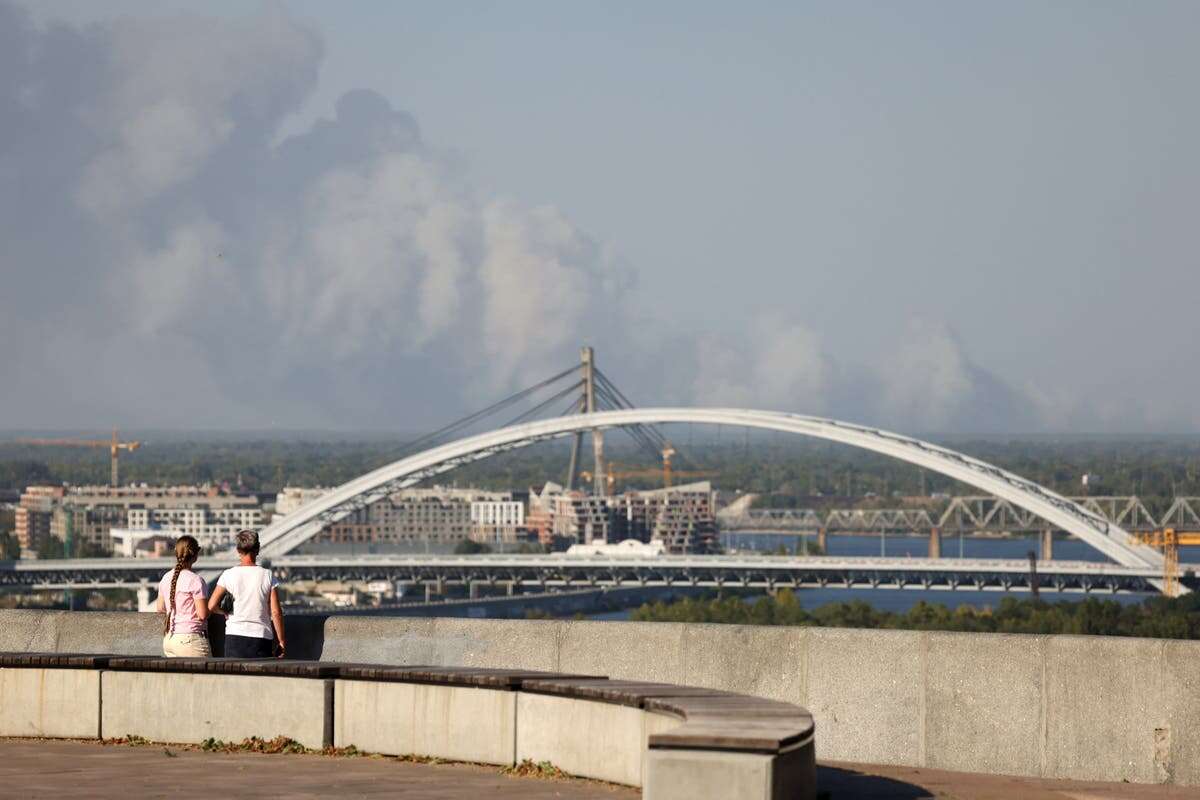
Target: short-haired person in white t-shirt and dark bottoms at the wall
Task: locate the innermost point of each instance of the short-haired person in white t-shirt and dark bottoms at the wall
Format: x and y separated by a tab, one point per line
255	628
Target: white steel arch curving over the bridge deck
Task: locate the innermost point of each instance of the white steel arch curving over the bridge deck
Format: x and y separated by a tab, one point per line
286	534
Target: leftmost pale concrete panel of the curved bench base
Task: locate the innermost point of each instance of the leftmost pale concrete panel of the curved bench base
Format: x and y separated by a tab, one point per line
55	703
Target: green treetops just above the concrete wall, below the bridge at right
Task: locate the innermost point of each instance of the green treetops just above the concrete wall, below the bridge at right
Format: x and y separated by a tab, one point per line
1155	618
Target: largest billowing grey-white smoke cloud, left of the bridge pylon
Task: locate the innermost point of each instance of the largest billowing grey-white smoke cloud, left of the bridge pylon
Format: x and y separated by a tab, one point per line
335	264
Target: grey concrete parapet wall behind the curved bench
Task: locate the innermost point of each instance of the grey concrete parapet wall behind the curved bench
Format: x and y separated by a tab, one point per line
1093	708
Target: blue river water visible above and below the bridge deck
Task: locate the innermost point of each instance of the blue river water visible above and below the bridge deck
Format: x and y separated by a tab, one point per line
902	600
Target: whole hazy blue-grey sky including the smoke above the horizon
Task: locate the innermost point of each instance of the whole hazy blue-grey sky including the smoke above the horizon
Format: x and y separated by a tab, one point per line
929	216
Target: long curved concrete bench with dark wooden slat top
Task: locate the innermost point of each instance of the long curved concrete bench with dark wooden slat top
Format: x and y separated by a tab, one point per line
587	726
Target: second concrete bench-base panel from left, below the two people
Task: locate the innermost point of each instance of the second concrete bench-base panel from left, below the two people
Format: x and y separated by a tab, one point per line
191	708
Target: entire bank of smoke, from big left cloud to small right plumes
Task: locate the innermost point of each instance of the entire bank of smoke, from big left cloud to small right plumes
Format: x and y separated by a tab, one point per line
170	262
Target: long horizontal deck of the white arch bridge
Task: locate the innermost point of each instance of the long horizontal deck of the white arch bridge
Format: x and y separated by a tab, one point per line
561	572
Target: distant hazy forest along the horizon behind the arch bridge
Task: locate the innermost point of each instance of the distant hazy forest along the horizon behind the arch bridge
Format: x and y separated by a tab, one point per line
788	471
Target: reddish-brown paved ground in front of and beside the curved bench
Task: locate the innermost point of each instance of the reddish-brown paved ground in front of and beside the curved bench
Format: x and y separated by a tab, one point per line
80	769
